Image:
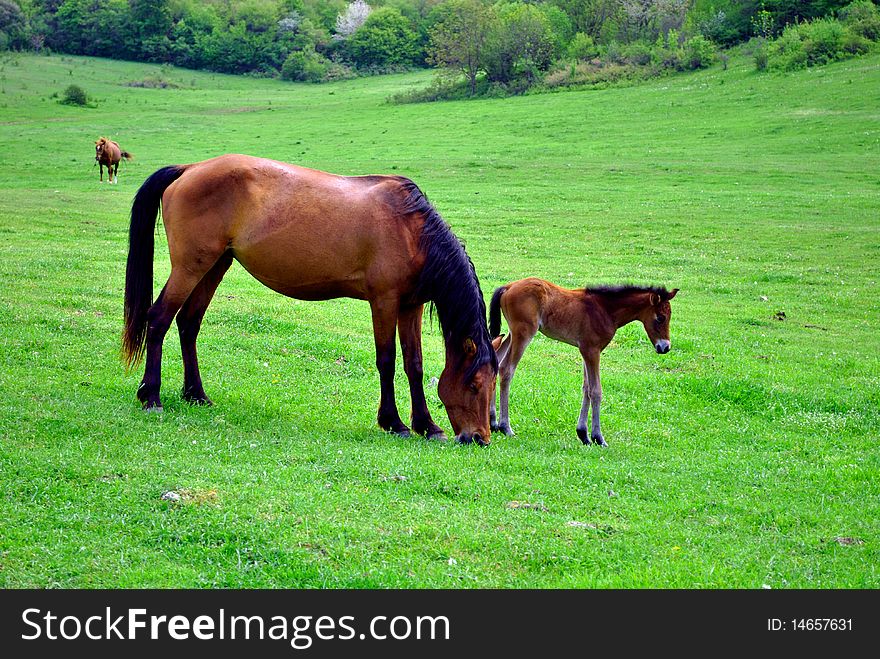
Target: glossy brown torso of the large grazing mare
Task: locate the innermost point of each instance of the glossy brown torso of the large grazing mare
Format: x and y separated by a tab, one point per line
303	232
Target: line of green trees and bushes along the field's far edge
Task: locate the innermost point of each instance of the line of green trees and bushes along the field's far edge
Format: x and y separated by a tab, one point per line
505	44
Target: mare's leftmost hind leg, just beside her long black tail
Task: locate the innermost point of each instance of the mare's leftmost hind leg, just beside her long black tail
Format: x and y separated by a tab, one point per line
177	289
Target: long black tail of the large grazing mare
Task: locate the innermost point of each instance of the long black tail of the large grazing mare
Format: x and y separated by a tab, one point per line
139	268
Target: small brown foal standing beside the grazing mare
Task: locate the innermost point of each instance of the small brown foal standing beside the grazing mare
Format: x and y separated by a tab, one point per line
586	318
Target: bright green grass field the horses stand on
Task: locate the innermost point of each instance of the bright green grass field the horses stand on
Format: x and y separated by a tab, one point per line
746	457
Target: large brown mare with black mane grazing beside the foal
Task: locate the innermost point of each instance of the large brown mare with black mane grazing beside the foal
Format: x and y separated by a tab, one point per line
311	235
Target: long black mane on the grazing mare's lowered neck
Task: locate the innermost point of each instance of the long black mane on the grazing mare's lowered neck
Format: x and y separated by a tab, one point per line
448	279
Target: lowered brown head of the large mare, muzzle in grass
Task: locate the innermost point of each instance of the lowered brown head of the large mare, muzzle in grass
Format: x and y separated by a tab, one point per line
466	387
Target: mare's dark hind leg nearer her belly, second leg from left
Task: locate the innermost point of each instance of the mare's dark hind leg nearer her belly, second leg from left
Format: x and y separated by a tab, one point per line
189	321
